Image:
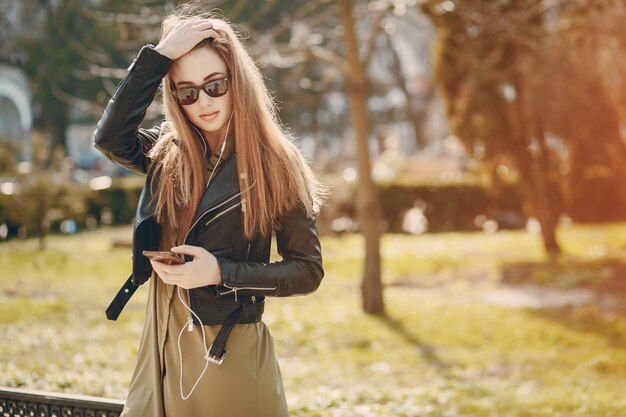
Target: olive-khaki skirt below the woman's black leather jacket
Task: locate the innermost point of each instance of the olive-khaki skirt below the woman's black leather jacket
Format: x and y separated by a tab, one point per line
248	383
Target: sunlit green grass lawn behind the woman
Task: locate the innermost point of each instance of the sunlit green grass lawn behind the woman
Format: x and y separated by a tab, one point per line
441	351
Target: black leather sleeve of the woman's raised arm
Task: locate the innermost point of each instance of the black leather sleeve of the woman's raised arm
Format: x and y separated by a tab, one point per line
118	135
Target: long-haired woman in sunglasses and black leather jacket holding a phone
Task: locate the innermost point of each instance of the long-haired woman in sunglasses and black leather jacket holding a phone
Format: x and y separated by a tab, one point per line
221	177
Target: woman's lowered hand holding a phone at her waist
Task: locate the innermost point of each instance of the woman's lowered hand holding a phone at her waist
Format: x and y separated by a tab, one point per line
201	271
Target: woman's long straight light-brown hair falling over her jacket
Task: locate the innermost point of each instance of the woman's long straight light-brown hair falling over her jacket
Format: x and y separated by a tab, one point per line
273	175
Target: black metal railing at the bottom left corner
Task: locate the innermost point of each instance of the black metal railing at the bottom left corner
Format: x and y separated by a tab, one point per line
21	402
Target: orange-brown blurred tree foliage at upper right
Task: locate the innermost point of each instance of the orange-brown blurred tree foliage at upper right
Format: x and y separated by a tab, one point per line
497	66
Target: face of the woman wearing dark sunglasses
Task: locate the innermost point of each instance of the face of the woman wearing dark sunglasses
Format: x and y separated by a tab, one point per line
209	114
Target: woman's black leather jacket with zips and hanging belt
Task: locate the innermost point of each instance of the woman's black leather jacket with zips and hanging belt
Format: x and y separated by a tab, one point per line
247	275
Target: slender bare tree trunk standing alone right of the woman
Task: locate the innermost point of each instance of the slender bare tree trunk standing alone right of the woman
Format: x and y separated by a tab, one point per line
367	203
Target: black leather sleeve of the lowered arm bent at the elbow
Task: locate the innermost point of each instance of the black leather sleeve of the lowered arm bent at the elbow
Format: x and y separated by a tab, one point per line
299	272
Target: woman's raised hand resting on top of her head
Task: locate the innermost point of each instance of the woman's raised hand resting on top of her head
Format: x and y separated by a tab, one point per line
184	36
